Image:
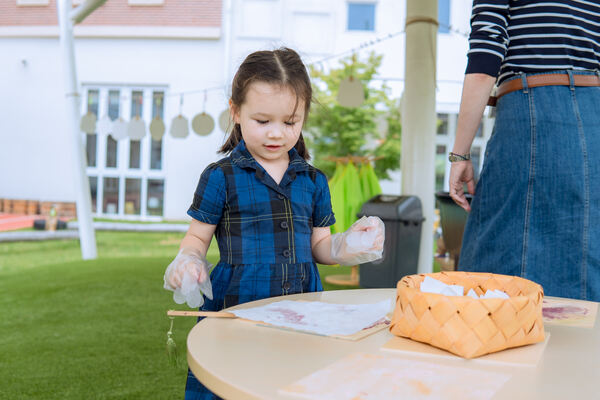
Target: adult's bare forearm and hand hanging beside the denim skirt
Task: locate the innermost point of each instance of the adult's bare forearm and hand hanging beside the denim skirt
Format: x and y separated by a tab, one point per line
476	91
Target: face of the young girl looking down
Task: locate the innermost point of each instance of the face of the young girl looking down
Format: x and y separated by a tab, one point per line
269	125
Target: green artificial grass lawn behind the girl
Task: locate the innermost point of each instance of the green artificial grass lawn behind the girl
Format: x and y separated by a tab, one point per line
96	329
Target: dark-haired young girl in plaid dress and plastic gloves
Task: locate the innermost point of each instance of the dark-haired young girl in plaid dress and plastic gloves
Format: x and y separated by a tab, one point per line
269	210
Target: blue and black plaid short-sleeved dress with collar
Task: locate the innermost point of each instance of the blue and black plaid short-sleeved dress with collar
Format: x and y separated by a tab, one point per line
263	232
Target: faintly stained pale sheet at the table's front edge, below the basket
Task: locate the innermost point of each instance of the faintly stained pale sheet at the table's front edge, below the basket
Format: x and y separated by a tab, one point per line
376	376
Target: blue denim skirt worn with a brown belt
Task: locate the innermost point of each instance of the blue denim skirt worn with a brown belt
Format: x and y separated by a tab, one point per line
536	209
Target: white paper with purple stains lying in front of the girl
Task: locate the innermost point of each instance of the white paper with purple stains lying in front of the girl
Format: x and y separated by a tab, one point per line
318	317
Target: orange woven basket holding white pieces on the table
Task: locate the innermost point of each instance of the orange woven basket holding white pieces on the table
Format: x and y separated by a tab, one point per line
466	326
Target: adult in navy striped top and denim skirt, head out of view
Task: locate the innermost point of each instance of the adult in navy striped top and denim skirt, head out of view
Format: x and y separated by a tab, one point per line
536	209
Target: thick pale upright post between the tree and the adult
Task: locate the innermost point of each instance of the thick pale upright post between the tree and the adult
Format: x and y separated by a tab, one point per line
419	117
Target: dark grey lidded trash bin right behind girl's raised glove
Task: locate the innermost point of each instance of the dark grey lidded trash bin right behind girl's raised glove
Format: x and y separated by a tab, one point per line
403	218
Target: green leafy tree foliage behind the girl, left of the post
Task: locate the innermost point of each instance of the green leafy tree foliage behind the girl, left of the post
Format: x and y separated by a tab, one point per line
370	130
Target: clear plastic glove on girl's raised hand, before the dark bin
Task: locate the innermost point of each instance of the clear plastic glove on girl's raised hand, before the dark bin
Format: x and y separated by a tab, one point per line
361	243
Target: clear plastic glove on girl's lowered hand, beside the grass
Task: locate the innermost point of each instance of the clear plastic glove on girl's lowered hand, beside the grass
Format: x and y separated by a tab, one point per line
187	276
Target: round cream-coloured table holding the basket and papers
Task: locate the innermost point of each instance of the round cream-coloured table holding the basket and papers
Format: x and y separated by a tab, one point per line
240	360
